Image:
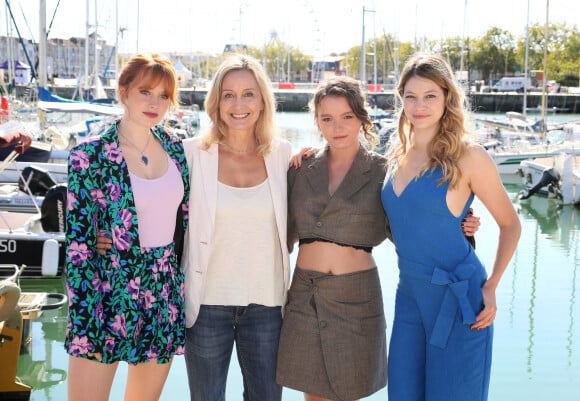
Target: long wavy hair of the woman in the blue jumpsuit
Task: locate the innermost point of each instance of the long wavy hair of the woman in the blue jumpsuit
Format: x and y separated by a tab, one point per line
451	141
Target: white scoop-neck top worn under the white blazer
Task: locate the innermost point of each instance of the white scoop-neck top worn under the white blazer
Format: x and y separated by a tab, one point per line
245	264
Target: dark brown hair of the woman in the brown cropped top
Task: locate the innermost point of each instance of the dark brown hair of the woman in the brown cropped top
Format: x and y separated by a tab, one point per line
352	91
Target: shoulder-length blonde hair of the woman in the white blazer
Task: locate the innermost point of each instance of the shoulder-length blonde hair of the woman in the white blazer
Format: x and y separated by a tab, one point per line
265	130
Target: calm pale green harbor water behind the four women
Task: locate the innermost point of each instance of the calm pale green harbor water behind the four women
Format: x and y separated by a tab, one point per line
537	329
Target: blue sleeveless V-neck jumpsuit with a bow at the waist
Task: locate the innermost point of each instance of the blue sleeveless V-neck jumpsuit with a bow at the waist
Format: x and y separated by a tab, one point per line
433	353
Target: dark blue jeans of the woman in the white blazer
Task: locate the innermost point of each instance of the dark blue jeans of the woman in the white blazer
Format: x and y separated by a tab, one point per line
255	329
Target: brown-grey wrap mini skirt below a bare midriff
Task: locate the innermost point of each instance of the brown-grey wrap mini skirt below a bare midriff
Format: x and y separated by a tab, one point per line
333	340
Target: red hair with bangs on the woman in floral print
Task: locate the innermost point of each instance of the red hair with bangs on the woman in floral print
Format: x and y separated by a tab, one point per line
147	70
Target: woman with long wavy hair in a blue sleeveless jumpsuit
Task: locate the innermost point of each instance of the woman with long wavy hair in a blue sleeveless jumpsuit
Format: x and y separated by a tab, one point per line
440	348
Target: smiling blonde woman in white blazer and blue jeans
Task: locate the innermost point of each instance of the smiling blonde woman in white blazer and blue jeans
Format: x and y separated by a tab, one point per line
235	255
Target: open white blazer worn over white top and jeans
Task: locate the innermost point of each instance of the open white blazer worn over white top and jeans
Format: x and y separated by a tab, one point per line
203	168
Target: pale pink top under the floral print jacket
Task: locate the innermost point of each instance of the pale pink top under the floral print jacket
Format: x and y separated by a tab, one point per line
157	201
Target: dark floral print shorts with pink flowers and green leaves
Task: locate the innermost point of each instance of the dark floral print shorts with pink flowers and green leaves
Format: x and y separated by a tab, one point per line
124	312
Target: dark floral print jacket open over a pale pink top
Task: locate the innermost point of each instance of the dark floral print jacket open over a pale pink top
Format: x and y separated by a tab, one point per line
100	199
